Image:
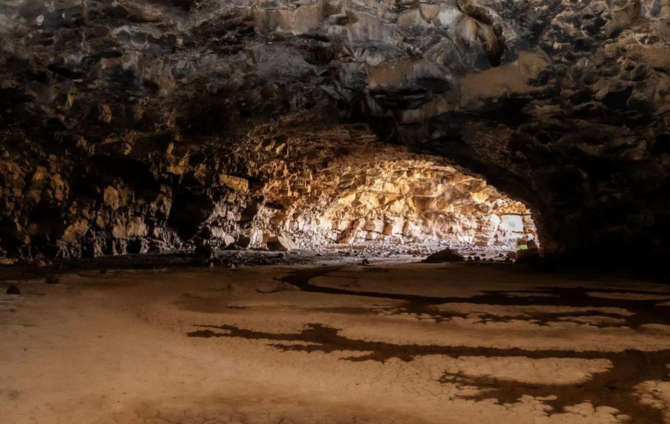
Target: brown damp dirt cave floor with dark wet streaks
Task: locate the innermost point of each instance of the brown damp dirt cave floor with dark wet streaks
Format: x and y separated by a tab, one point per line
384	343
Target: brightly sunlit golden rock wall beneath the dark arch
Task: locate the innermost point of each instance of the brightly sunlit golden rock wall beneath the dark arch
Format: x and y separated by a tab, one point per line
393	198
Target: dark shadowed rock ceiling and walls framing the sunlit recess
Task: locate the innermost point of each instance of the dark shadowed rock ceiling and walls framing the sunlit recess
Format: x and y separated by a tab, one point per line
152	105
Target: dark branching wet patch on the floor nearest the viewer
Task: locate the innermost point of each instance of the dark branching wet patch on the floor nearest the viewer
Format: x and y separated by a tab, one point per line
615	387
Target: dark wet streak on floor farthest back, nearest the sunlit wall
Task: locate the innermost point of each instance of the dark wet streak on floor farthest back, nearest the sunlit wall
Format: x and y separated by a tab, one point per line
644	307
